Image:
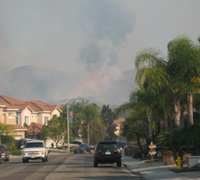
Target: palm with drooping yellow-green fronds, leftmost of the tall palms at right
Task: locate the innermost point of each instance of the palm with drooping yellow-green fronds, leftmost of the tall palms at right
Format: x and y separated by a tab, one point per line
151	77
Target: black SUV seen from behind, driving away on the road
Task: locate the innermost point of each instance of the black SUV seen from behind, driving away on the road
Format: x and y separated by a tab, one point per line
107	152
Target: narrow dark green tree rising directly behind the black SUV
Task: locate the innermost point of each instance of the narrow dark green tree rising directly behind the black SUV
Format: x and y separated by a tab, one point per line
107	115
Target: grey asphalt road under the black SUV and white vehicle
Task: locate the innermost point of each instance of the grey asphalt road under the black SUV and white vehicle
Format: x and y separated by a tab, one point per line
62	166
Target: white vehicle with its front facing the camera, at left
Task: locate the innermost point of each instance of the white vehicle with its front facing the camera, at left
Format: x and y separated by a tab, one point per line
34	150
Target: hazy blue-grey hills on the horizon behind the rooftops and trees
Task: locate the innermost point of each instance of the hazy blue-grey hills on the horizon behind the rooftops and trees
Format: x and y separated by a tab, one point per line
53	86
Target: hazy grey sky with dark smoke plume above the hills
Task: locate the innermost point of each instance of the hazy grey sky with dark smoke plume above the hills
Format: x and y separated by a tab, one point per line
97	38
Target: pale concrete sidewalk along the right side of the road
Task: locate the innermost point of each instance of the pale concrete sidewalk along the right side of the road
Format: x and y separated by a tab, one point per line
157	170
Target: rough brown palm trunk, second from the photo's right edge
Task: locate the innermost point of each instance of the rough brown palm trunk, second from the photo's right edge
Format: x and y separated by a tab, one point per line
176	109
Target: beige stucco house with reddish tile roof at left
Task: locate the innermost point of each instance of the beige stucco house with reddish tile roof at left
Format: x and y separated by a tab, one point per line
19	113
